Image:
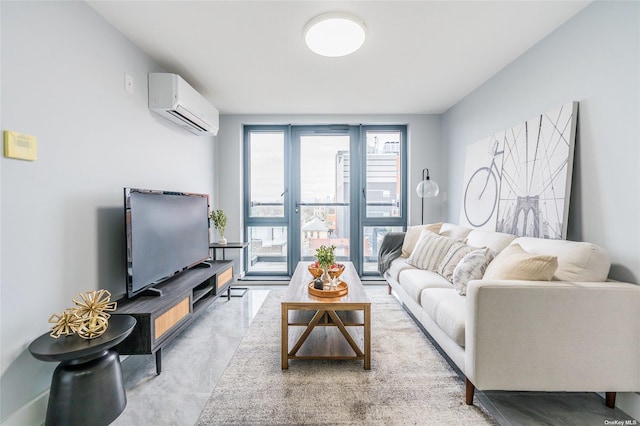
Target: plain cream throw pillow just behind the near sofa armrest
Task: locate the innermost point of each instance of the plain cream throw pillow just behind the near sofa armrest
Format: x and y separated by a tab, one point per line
514	263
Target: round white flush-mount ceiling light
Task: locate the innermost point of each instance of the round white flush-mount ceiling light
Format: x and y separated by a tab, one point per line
334	34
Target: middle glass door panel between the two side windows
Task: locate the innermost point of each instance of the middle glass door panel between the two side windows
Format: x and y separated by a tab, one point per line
322	191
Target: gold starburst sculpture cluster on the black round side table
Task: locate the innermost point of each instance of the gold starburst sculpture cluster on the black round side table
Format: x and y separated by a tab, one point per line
90	317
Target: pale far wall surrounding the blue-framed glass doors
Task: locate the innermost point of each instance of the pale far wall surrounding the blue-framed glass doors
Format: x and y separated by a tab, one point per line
424	150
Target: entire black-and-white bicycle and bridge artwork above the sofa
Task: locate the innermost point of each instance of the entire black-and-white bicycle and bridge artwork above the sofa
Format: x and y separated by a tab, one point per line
518	181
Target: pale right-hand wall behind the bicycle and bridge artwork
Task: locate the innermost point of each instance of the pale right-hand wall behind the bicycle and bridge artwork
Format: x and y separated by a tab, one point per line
593	59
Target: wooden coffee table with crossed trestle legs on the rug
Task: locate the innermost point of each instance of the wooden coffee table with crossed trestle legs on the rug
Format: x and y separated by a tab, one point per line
326	328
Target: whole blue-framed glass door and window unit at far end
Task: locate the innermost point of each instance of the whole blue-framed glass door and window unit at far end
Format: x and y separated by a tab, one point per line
307	186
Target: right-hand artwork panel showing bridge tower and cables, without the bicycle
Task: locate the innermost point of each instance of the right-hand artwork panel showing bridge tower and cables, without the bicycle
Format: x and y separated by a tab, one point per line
537	166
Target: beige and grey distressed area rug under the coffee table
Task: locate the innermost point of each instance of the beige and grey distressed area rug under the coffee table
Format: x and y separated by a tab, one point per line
409	382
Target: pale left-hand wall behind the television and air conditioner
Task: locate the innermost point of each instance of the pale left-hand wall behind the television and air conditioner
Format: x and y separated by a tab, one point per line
62	217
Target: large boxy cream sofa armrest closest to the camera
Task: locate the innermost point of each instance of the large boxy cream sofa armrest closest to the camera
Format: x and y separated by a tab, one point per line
553	336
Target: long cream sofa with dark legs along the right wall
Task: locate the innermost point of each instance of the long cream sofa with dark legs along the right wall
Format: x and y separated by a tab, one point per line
577	332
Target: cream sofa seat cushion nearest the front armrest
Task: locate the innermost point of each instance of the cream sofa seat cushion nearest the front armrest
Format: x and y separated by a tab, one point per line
447	309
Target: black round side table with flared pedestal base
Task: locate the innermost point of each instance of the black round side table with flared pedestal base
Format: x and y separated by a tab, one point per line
87	386
